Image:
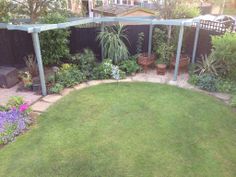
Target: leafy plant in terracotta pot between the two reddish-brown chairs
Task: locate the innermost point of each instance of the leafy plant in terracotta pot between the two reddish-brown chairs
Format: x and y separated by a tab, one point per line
165	53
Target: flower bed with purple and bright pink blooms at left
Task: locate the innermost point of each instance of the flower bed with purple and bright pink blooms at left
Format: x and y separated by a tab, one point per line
14	119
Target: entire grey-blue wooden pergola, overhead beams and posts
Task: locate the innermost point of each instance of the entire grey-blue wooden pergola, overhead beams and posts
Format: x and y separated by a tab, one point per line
35	29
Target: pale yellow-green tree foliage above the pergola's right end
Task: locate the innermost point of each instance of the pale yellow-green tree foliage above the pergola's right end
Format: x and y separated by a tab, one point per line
185	11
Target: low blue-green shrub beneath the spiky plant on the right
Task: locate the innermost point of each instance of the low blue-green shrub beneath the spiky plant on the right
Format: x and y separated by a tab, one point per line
207	82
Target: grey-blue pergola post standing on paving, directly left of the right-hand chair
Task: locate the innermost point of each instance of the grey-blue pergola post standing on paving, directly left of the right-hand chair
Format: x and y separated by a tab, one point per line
181	34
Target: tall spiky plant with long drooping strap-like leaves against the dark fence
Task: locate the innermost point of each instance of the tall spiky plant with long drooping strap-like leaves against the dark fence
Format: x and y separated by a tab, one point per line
112	39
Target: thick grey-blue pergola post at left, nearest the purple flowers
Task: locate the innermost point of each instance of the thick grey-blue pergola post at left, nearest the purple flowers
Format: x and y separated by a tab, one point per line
37	50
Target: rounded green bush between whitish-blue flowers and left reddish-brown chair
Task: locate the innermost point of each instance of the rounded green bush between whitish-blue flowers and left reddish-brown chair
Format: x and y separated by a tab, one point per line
129	66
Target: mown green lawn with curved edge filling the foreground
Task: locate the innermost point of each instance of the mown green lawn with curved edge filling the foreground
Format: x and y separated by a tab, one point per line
130	129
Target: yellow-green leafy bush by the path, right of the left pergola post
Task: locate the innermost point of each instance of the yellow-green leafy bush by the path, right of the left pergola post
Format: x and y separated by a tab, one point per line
69	75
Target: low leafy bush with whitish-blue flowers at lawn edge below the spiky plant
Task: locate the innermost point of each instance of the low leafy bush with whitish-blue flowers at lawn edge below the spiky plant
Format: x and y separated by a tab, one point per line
105	70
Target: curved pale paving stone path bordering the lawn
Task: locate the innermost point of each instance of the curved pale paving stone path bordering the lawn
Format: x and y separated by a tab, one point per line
41	105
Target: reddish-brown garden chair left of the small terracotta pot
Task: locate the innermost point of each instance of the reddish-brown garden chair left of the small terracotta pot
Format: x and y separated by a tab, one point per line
144	61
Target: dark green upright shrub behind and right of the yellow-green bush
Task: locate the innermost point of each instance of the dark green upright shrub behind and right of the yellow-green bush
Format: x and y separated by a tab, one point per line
85	62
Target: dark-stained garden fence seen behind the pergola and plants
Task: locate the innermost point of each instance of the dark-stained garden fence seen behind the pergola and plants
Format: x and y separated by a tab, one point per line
14	45
